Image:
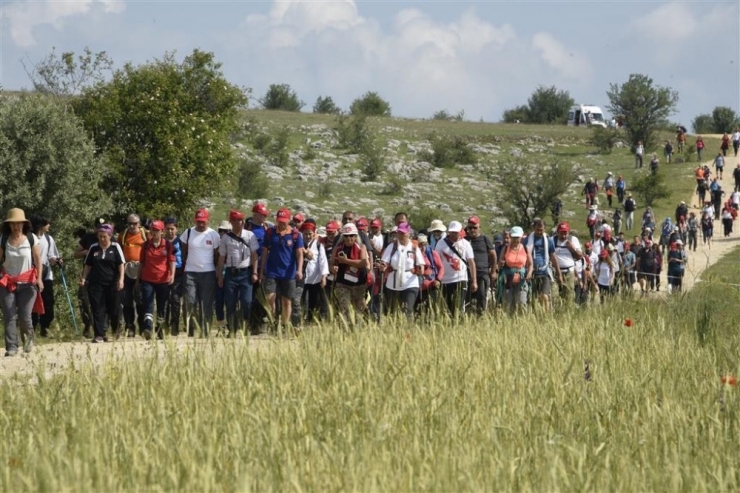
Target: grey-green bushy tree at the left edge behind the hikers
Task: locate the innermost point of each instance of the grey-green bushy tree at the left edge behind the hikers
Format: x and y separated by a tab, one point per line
49	164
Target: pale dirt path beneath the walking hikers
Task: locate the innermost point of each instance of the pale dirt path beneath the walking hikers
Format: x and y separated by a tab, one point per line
52	358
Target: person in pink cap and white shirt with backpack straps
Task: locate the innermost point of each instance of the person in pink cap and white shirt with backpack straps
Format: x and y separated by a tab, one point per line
403	263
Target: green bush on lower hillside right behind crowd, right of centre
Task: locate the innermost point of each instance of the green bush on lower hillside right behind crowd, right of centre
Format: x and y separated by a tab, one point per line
528	189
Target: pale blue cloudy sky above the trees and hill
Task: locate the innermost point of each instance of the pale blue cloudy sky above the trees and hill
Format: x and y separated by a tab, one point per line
421	56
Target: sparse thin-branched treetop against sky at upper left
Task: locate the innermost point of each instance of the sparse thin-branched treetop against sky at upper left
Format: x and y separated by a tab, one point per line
64	75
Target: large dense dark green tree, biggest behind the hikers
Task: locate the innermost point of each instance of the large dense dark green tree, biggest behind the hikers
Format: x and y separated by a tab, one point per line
164	130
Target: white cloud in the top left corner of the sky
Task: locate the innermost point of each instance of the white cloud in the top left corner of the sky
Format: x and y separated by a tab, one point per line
25	17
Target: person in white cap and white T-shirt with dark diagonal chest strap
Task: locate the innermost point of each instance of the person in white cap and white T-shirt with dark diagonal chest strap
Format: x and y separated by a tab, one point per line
457	258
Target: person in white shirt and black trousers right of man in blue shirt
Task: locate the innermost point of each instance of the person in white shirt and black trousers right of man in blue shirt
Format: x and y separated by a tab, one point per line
316	267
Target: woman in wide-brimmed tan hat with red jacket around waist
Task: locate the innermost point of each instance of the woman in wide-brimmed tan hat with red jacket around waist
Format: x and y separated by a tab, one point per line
20	283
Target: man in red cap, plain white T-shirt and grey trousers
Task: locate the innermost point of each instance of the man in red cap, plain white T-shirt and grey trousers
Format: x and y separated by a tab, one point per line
200	255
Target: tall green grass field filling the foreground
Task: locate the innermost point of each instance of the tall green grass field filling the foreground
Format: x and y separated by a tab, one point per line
494	404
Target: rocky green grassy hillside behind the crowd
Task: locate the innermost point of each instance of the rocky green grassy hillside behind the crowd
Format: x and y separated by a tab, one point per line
323	180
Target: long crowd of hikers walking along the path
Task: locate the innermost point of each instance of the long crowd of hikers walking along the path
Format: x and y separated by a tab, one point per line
255	274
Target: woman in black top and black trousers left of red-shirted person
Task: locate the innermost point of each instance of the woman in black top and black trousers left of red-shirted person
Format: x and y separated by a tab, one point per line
103	276
